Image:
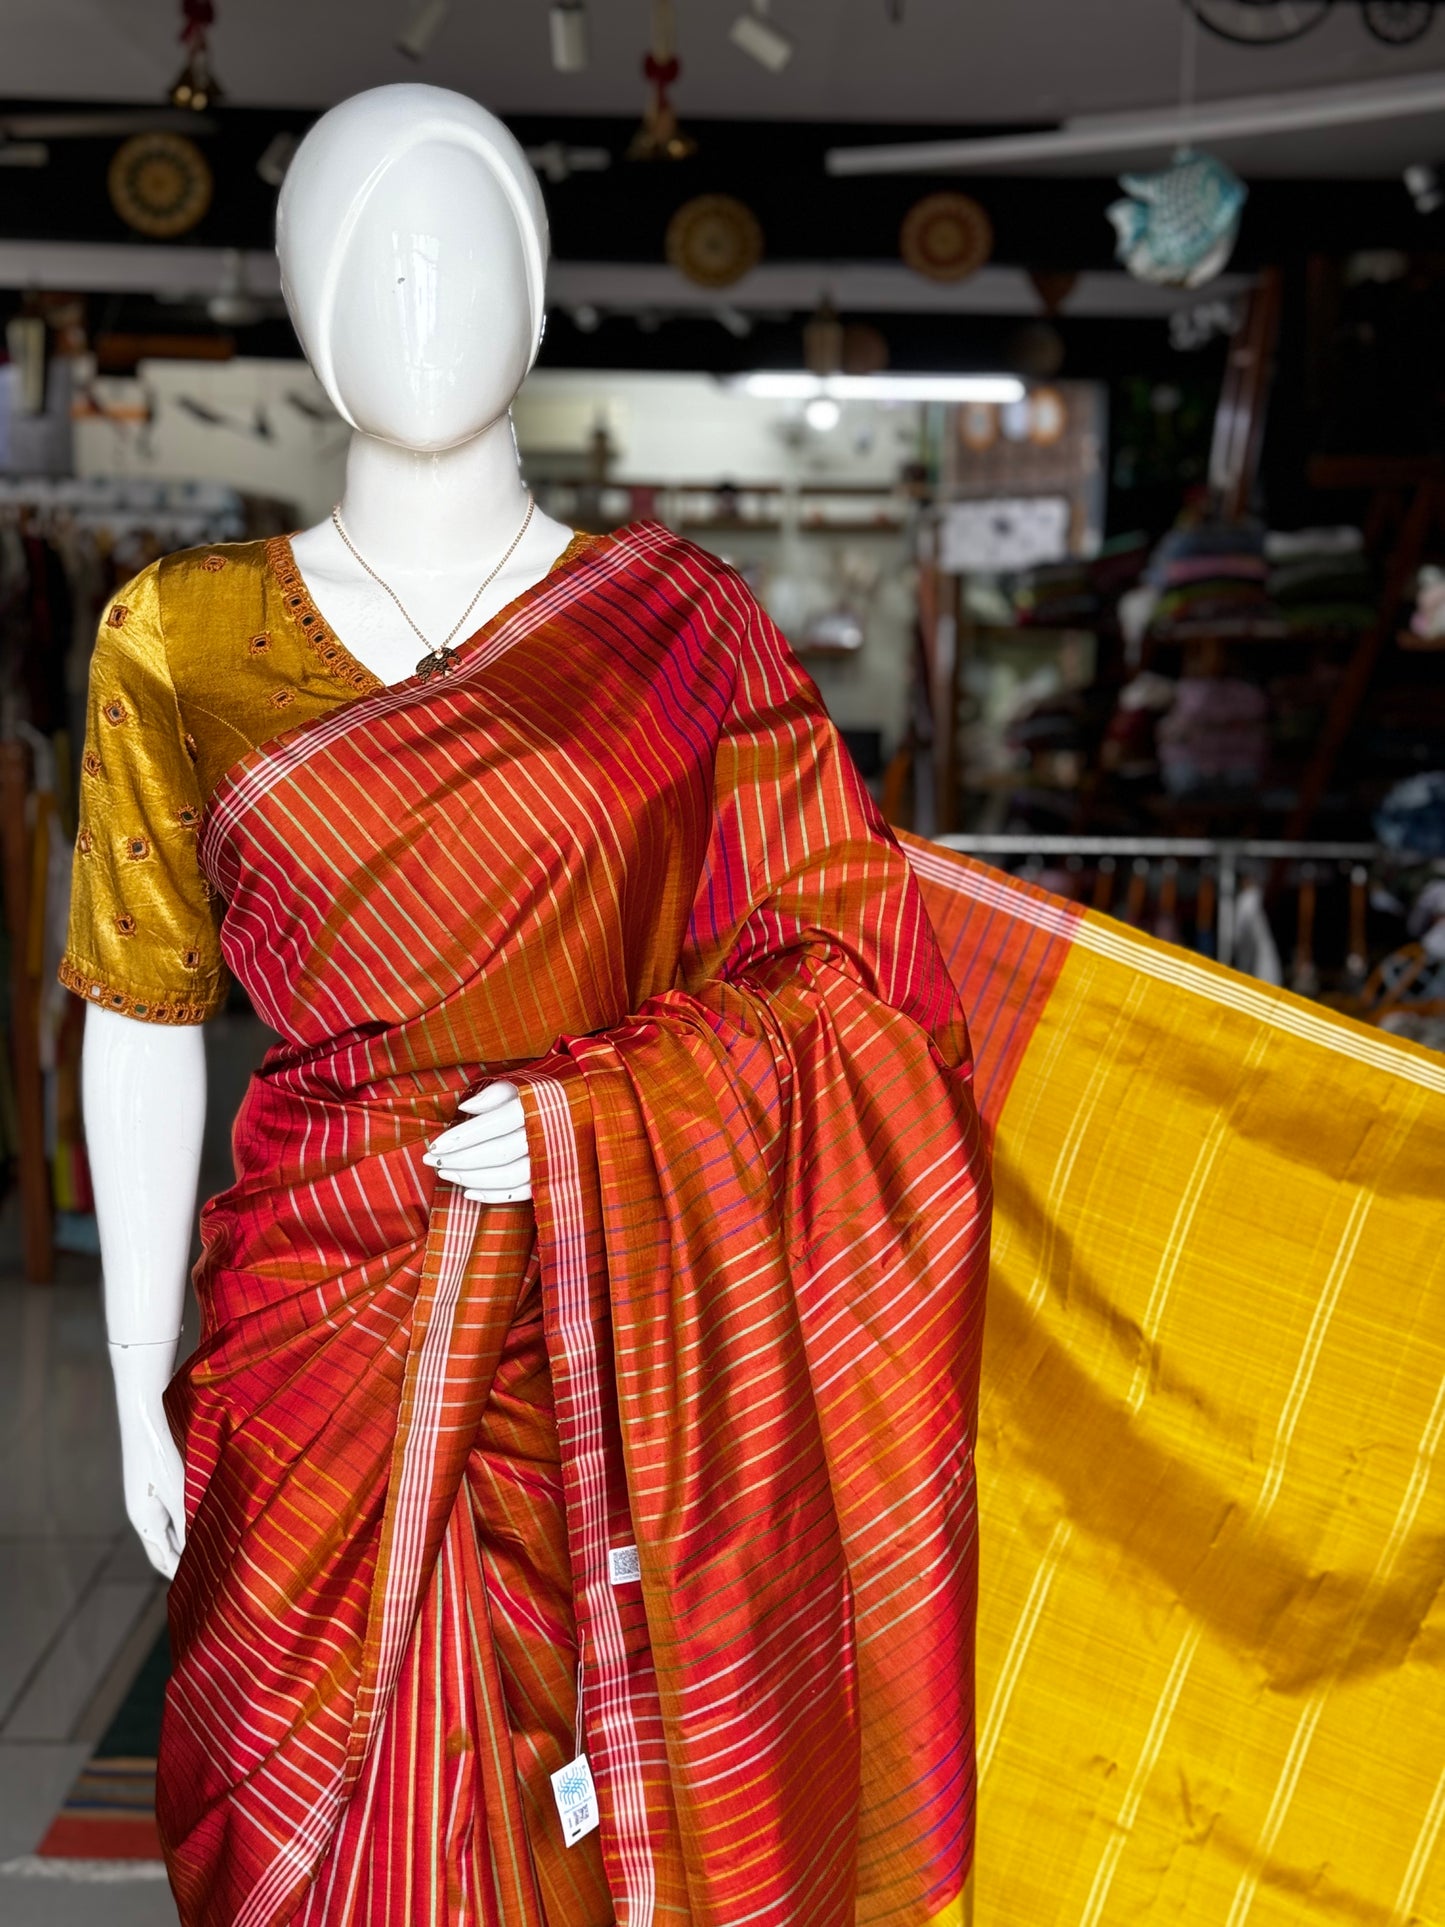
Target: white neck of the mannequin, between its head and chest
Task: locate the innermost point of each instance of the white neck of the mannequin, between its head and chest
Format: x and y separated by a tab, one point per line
434	512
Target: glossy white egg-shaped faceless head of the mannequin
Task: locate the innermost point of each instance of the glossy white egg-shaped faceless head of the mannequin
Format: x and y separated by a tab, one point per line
413	246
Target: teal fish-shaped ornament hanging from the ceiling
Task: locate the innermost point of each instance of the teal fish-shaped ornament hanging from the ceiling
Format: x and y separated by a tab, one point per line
1180	226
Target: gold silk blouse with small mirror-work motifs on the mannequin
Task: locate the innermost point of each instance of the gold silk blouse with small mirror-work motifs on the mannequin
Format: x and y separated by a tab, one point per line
199	660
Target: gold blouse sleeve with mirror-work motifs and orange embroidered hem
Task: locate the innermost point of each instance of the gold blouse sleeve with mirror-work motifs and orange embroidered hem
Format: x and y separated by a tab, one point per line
144	918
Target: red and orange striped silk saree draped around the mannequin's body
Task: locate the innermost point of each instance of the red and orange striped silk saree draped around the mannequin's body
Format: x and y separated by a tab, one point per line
693	1435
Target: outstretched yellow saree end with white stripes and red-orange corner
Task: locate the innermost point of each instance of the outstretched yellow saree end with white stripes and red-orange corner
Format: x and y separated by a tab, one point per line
1213	1489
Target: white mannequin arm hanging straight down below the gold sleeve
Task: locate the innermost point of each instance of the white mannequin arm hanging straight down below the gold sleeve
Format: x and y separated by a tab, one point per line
145	1113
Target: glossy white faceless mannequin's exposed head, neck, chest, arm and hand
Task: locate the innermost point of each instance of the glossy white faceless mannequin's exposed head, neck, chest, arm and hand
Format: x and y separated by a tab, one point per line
413	250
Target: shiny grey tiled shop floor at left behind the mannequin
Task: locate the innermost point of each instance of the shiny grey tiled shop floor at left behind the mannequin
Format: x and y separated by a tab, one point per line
80	1606
